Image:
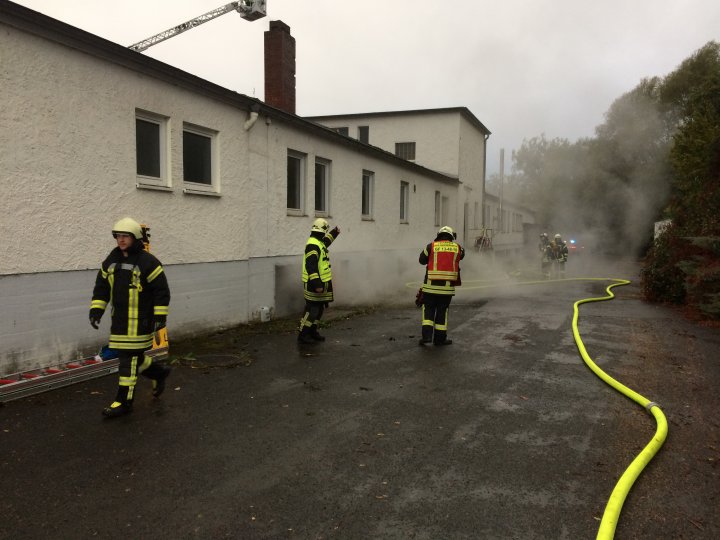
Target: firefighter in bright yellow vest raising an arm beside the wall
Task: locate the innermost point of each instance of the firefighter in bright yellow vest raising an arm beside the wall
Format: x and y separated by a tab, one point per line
317	279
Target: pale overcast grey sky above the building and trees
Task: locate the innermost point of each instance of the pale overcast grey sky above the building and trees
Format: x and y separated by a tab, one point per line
522	67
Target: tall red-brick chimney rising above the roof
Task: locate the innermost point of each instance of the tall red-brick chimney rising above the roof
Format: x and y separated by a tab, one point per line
280	67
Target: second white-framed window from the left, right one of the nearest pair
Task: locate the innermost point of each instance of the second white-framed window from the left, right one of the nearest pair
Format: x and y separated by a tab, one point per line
199	160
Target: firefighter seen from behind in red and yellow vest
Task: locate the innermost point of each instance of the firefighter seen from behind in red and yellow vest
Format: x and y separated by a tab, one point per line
442	259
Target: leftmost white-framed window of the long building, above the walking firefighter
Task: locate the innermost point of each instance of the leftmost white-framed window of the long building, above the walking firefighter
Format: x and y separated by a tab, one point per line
151	150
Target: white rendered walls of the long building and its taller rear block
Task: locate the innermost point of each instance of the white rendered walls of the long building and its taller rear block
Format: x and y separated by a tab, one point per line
93	132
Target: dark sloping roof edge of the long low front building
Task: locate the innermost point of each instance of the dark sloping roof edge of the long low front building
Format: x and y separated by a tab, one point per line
37	23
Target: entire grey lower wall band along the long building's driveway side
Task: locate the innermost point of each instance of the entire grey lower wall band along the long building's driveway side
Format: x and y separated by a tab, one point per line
44	320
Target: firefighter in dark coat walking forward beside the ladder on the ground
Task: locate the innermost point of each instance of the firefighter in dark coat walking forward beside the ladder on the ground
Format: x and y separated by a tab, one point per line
133	282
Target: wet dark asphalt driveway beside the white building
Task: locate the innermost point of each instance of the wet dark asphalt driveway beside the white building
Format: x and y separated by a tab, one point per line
504	434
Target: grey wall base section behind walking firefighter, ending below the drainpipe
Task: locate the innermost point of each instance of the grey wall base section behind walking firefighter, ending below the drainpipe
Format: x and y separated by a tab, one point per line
44	319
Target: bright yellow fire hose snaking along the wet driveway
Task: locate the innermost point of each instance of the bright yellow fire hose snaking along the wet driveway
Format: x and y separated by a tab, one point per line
622	488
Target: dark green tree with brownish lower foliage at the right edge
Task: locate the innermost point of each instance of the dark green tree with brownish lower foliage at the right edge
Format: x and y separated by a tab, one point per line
688	252
